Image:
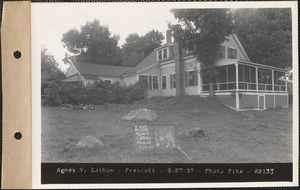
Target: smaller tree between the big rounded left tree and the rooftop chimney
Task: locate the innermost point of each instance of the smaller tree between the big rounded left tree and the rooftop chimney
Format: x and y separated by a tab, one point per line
136	47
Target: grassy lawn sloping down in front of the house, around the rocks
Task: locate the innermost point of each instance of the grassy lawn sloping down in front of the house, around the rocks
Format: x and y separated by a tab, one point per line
231	136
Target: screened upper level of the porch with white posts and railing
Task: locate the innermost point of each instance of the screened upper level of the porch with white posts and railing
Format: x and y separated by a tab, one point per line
249	77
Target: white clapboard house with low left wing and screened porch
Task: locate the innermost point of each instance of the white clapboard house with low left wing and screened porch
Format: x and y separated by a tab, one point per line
171	71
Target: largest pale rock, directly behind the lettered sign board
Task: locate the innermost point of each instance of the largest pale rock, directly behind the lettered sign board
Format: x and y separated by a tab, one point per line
141	114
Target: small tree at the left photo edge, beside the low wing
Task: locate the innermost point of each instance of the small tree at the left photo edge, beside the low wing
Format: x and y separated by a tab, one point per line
49	68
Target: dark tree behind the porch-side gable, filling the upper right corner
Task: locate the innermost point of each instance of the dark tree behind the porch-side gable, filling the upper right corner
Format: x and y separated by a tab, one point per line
266	35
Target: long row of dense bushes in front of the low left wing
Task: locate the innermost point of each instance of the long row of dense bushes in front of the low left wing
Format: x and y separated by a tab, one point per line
97	93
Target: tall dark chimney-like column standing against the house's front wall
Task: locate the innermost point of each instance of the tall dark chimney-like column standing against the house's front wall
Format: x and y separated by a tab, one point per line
179	66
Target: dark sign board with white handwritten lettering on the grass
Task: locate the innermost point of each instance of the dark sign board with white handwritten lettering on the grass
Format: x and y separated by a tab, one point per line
155	138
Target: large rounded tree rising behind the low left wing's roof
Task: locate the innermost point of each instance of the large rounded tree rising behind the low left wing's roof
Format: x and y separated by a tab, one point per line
94	43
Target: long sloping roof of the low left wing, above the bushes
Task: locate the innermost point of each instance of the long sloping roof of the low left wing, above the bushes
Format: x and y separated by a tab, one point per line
88	69
